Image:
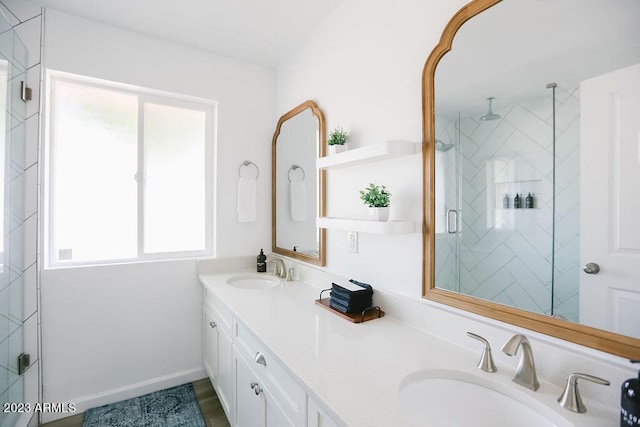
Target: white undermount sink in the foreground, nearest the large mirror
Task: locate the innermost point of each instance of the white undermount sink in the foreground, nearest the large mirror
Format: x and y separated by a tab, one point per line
453	398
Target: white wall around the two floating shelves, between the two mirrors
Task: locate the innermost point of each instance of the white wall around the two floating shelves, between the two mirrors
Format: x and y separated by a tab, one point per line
363	66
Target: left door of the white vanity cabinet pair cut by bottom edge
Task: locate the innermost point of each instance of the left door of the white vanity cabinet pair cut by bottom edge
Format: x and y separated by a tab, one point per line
249	407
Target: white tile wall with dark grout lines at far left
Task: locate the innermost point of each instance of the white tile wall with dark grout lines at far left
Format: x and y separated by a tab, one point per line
26	19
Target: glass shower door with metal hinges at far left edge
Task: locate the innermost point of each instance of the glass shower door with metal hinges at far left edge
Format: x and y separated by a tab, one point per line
13	71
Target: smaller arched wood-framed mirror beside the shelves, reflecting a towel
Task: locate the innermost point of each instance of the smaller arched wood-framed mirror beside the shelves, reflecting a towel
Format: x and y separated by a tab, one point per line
298	187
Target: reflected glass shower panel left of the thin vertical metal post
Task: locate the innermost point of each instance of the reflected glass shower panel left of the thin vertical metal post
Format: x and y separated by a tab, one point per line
494	193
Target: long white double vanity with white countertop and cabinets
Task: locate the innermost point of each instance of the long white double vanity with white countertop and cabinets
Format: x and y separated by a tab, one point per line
277	359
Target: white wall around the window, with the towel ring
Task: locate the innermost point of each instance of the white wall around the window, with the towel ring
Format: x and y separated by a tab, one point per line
116	331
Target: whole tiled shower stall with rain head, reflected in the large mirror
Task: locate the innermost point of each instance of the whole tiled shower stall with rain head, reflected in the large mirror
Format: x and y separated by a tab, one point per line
508	201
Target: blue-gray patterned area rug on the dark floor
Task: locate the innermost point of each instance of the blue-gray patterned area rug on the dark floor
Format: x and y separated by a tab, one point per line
173	407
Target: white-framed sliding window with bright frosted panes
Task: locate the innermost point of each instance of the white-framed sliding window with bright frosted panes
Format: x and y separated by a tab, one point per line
129	173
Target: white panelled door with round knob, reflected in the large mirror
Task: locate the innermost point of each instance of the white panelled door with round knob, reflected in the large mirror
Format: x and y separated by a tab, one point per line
610	201
